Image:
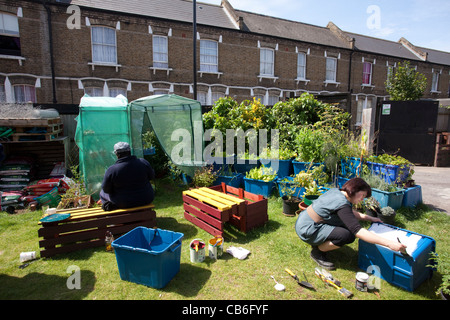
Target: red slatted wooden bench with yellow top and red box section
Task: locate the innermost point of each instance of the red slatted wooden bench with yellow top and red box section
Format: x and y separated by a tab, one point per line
210	208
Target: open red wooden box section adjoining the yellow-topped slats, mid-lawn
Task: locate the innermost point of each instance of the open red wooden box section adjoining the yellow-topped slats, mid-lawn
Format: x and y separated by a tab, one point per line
253	212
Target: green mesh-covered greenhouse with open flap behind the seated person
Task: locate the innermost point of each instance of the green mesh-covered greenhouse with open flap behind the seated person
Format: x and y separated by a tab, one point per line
103	121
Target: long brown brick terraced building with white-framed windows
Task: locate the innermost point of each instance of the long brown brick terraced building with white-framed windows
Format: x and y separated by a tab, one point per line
56	51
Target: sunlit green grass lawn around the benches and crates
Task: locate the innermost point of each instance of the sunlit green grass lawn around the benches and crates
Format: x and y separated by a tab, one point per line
273	248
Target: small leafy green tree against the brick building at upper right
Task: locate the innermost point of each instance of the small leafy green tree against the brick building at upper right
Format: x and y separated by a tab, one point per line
406	83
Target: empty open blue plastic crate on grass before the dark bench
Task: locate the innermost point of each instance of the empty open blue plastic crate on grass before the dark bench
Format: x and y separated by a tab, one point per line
148	256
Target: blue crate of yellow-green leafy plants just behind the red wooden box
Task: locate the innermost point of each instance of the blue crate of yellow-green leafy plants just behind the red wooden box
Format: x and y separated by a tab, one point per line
260	181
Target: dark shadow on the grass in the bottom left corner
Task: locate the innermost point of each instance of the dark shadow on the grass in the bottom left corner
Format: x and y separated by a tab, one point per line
39	286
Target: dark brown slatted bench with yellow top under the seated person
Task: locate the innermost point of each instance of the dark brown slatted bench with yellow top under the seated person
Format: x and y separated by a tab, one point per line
86	228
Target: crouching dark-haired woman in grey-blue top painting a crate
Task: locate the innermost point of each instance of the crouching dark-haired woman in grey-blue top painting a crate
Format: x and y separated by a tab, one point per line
330	222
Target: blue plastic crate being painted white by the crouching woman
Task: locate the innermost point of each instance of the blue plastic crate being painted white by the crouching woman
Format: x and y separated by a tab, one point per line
405	271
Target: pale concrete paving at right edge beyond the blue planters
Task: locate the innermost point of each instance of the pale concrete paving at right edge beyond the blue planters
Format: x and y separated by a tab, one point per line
435	183
